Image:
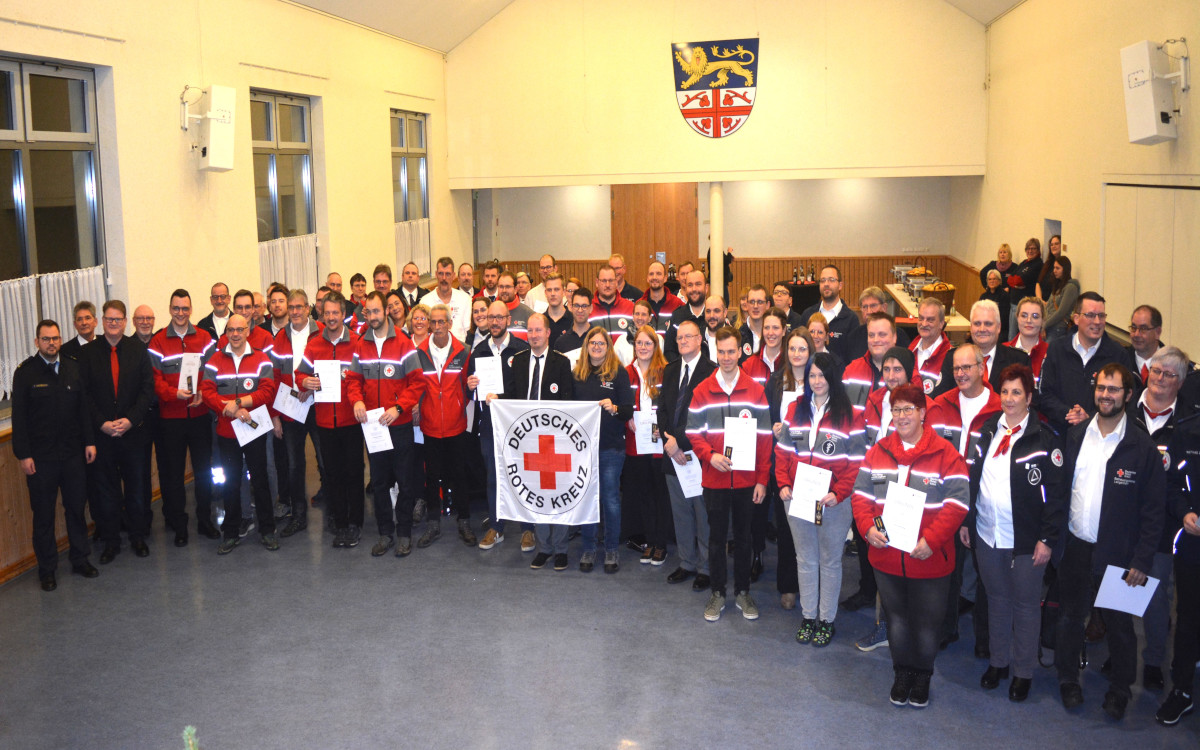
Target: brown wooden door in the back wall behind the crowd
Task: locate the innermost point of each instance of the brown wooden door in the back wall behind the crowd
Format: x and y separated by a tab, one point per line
650	219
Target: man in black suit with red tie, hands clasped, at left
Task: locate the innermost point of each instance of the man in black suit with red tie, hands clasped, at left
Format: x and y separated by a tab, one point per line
119	383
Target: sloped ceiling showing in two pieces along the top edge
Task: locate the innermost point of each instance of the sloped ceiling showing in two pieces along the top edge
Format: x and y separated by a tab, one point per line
445	26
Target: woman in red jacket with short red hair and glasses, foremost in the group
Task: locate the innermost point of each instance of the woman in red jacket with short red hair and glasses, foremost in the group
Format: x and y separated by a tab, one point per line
910	500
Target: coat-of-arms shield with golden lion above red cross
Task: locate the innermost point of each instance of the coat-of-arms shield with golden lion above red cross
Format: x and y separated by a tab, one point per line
716	85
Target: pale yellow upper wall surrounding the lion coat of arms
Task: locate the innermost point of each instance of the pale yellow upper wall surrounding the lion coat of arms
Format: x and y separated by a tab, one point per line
583	92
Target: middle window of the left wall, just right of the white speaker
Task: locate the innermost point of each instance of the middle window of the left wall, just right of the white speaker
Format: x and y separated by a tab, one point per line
281	129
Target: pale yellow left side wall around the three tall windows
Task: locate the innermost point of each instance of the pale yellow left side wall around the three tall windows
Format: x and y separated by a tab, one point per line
166	223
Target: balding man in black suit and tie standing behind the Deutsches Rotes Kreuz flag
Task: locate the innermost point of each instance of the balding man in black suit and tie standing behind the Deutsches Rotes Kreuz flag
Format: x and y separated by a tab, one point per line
541	375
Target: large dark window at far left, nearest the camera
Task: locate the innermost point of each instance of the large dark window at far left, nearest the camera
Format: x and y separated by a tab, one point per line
50	158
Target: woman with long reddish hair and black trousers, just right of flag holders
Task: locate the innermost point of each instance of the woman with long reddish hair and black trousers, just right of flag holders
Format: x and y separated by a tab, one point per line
644	478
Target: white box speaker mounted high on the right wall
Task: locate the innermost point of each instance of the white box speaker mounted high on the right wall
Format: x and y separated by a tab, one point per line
1150	103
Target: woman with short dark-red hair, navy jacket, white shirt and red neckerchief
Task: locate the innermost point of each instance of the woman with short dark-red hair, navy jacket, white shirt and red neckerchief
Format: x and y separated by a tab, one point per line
1016	521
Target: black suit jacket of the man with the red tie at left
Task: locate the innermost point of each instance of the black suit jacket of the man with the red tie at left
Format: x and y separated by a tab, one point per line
135	391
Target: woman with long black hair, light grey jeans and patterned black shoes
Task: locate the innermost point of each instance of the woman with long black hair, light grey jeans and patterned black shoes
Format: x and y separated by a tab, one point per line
815	466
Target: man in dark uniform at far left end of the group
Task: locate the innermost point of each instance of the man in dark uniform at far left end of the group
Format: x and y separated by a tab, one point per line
52	439
